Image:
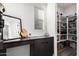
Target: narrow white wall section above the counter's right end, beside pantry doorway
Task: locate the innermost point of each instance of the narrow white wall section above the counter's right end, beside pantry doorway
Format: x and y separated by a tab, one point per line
51	19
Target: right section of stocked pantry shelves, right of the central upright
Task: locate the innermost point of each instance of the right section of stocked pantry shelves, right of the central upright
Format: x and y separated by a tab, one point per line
72	31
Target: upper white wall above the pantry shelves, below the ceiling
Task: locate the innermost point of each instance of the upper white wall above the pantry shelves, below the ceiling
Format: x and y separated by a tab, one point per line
69	10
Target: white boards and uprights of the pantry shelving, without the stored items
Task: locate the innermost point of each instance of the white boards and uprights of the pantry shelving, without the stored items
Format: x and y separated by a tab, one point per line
68	28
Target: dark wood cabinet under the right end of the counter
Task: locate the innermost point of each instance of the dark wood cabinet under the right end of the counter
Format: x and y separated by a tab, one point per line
42	47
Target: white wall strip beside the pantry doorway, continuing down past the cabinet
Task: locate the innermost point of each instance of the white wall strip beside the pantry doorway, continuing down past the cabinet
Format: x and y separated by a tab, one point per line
51	23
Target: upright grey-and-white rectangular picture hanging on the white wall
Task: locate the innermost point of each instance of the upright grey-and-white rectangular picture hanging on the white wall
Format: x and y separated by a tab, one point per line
39	18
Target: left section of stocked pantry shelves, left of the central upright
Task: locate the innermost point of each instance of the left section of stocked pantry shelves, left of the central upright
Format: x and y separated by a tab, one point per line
61	28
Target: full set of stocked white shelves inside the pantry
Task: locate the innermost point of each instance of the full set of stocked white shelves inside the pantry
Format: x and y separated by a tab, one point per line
66	28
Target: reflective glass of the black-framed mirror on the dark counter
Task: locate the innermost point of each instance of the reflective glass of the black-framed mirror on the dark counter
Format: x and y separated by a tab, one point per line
11	28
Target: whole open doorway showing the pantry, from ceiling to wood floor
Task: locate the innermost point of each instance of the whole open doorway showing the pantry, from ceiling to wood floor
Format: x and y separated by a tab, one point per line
66	29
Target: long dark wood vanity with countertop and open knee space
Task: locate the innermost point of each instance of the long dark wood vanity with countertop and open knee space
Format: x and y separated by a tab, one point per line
39	46
